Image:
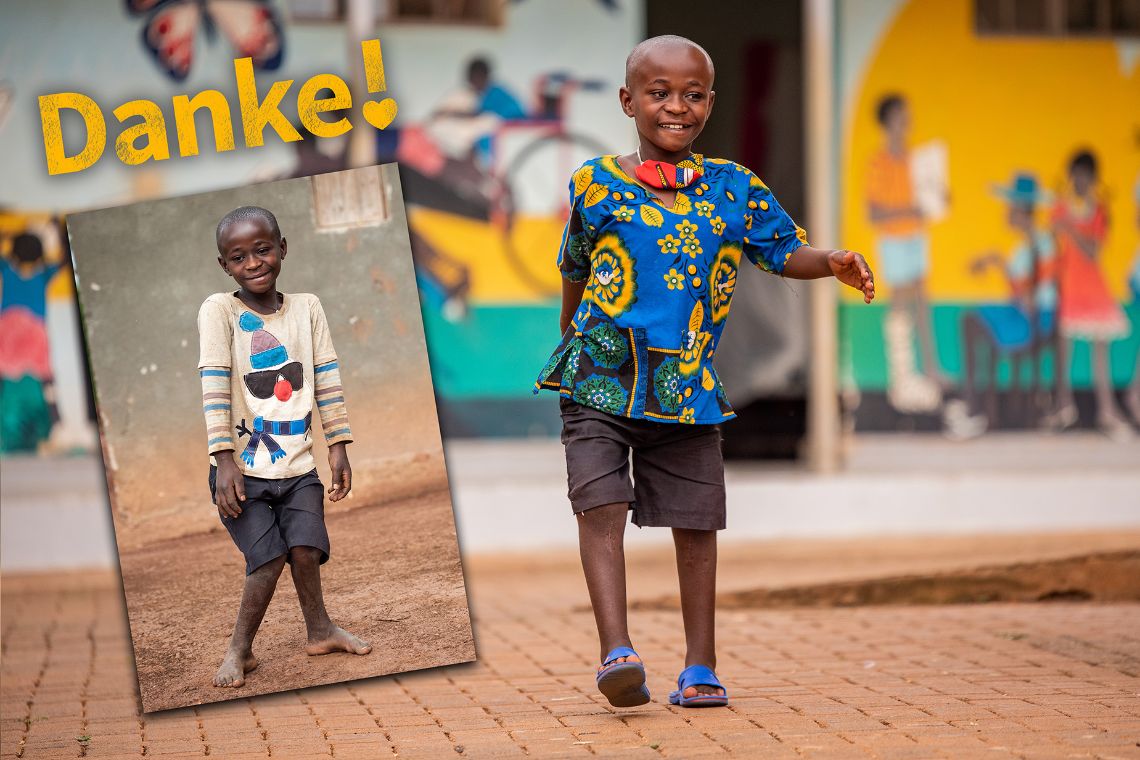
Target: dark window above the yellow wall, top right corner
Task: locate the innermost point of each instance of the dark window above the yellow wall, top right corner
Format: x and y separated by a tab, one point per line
1058	18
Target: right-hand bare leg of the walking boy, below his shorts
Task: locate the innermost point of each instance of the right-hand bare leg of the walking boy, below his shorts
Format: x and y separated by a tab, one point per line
697	571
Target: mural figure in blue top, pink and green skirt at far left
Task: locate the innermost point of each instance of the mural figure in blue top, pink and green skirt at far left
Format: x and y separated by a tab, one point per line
28	408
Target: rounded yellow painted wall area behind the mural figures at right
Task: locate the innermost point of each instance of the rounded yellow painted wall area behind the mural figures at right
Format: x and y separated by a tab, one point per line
1003	105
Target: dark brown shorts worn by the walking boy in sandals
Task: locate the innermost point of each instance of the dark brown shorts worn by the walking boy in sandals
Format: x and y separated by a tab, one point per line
678	470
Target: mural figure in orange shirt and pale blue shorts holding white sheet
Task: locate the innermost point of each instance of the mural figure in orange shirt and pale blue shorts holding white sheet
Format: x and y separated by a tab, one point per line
902	244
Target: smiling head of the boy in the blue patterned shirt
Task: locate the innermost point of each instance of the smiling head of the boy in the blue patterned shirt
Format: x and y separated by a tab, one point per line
670	95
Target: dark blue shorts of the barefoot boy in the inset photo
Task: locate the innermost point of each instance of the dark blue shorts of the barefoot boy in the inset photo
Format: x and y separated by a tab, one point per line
276	517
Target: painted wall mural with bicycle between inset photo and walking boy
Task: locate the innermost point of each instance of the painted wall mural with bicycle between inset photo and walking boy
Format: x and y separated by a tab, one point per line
486	148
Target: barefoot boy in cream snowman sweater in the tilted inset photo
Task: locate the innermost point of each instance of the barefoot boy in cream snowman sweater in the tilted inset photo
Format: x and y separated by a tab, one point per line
266	358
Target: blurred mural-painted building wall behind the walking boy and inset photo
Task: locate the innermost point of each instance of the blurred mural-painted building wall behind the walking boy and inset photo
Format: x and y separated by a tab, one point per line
983	154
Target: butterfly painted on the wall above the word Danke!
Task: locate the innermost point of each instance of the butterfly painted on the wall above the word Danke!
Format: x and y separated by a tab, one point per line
172	28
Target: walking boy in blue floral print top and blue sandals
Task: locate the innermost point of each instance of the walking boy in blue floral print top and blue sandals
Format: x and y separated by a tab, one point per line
650	263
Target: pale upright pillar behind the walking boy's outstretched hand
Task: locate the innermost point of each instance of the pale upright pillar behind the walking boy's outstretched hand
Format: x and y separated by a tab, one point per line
824	426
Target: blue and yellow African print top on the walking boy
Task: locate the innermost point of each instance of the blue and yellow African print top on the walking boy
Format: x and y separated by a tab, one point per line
659	284
